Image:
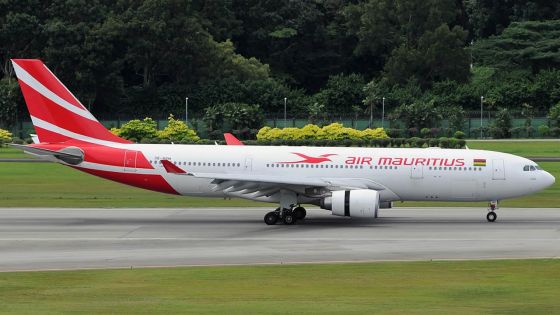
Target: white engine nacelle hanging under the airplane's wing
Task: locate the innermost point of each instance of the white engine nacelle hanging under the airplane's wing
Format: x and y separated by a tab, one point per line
360	203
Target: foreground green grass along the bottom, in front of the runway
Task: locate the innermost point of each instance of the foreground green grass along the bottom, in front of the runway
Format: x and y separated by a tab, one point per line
461	287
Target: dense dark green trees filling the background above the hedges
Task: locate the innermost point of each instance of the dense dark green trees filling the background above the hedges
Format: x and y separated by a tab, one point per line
428	58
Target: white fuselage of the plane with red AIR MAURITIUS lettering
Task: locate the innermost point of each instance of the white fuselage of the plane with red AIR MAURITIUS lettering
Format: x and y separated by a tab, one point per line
398	173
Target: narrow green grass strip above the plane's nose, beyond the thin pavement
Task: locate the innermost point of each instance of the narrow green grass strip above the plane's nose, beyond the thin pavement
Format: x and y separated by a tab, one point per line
522	148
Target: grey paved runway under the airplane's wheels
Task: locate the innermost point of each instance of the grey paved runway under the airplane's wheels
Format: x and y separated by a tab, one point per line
38	239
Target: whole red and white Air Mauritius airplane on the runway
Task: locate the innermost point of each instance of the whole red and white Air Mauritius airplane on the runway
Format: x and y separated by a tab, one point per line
351	182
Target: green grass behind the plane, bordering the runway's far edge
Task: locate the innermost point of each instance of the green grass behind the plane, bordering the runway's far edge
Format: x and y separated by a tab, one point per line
54	185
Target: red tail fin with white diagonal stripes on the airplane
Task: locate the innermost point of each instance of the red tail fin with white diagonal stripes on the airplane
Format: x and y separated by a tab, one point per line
56	113
